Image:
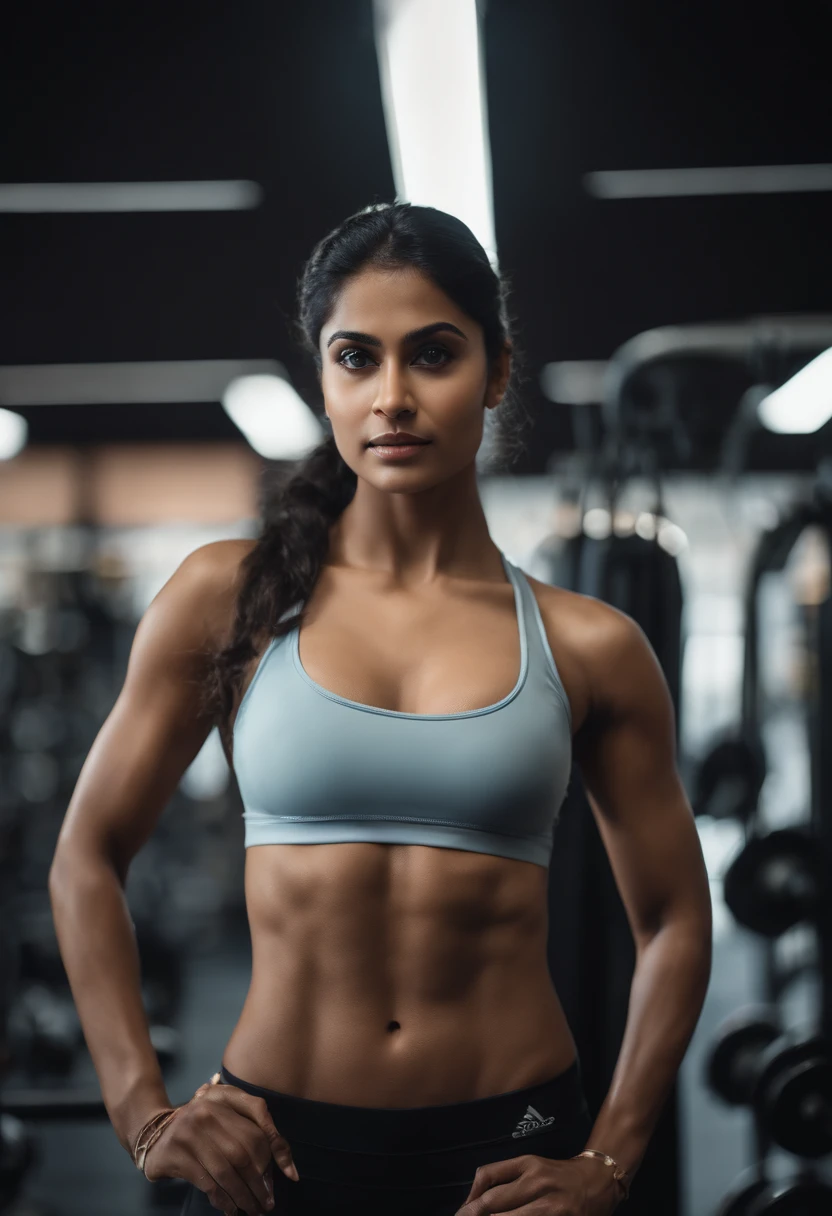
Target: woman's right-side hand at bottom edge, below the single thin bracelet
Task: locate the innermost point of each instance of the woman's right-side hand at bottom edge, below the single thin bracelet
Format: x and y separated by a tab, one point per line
539	1186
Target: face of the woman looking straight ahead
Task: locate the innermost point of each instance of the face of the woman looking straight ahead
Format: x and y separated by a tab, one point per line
398	356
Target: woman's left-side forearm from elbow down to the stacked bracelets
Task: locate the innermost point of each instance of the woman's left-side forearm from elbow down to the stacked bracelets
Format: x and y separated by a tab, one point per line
102	959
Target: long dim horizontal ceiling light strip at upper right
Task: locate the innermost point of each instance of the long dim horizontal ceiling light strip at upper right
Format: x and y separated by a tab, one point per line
754	179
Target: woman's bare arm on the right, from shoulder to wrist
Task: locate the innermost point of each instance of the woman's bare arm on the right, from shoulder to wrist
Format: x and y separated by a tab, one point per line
627	757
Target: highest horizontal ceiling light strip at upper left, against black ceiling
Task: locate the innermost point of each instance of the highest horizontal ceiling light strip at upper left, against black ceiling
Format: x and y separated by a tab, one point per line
38	198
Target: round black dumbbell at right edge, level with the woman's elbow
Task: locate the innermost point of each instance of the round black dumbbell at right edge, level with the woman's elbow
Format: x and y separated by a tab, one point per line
777	881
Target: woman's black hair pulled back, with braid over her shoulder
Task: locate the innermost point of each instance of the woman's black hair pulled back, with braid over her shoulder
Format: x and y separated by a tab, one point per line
300	505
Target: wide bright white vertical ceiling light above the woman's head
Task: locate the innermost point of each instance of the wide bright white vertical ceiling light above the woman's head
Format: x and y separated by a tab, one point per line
432	81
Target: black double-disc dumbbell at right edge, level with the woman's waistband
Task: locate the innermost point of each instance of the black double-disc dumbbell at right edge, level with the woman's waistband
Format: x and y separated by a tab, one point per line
785	1078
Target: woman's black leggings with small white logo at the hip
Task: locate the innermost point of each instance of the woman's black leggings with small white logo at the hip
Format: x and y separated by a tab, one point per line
409	1161
